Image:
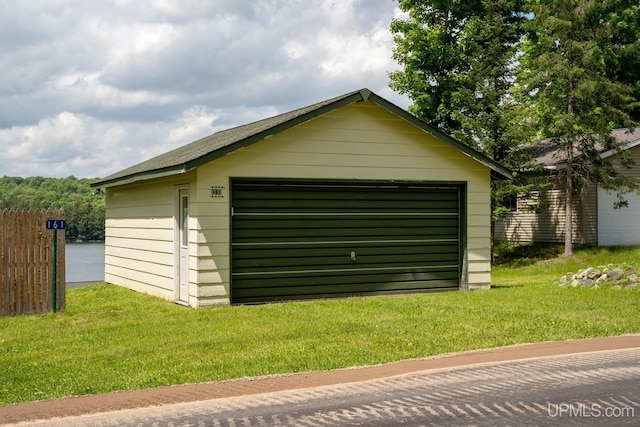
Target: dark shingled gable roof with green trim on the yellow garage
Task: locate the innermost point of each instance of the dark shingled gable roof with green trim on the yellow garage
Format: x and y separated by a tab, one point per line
209	148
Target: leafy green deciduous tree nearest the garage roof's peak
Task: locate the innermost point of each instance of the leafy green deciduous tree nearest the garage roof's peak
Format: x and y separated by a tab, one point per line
429	46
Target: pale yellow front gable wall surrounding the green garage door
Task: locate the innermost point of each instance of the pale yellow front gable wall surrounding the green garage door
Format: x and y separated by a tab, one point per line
361	141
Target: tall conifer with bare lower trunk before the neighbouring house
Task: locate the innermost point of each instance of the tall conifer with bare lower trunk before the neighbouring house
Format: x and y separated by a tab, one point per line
573	97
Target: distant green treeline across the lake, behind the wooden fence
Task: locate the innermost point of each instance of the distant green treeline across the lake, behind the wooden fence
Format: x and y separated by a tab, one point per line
83	207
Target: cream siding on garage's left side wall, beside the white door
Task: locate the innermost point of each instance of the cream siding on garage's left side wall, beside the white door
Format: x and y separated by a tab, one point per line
139	246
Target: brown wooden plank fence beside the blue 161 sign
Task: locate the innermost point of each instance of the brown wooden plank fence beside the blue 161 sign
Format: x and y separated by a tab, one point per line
26	257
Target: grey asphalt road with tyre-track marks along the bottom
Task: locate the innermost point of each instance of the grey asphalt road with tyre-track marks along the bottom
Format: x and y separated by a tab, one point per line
587	389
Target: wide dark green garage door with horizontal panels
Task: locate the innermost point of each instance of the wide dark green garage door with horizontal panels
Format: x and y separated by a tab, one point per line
300	240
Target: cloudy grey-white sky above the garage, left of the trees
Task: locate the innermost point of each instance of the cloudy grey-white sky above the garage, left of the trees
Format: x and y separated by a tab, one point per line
89	87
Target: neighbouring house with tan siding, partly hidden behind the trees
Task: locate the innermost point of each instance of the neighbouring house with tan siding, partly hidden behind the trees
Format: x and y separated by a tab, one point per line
596	222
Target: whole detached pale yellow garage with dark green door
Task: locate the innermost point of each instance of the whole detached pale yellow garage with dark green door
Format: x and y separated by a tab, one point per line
350	196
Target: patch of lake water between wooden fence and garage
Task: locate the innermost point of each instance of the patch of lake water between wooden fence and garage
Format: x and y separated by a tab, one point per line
85	263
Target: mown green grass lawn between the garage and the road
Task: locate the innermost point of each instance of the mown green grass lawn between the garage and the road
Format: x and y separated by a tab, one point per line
110	338
